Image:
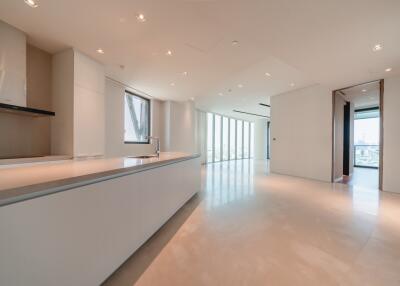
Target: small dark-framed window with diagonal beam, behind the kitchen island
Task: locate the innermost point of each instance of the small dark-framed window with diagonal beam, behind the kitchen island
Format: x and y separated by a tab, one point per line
136	119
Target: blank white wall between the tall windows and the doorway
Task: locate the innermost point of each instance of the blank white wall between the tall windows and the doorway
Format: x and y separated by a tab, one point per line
301	122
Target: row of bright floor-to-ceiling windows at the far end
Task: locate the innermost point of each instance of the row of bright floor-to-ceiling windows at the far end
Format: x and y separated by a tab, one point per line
229	138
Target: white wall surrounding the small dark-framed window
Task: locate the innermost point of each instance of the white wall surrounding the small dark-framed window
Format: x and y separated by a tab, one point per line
115	145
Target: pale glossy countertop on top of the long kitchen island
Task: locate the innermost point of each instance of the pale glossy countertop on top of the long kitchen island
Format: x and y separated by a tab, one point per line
22	182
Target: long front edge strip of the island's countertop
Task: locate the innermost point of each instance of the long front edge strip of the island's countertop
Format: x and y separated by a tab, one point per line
16	195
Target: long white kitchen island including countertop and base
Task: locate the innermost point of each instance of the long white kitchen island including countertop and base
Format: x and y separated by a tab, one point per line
74	222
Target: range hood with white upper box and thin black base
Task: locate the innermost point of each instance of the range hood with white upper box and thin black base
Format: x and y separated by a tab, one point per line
13	73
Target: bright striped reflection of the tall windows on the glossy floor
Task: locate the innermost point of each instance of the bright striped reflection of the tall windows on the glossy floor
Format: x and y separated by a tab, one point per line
228	181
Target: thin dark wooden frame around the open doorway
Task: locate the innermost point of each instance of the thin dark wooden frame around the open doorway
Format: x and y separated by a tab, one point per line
381	130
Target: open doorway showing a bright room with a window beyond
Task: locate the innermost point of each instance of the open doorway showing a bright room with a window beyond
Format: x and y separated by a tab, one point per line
357	135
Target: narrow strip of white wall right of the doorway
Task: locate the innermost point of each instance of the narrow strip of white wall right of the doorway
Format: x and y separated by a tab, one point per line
391	137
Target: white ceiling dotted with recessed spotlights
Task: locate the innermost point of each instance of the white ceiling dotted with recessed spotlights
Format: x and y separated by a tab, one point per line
304	42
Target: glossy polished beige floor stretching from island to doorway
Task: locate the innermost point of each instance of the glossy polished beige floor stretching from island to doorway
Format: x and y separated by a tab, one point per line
248	227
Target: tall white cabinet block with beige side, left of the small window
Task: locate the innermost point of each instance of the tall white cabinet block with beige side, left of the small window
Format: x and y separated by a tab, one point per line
78	101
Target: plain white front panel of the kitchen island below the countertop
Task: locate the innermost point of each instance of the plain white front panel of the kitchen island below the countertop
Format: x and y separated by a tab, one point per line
82	235
